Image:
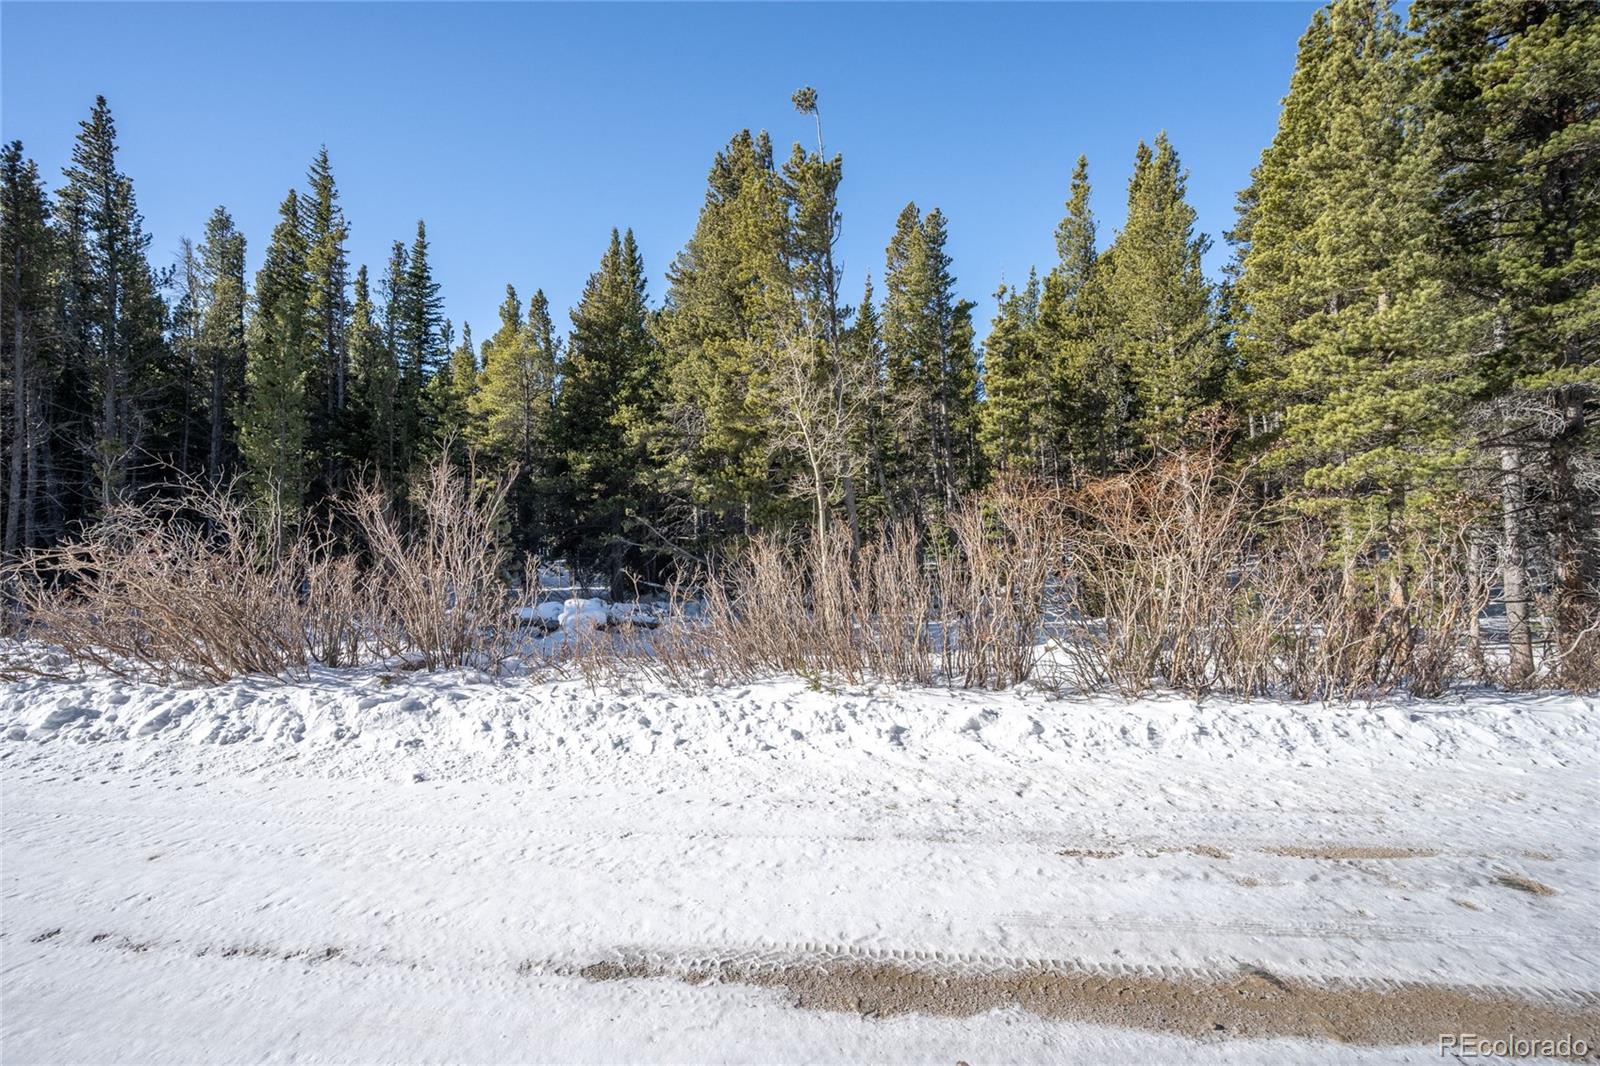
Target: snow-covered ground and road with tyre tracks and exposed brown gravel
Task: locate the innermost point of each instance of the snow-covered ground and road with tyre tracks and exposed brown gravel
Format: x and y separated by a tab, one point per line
441	868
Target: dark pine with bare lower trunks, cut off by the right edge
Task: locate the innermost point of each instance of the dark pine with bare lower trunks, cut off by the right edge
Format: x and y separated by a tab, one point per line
1510	98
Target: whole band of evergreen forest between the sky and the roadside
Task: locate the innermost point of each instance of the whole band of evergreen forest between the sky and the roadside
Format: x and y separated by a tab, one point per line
1391	391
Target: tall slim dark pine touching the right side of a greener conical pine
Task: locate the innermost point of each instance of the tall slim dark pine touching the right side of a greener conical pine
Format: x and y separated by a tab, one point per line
327	323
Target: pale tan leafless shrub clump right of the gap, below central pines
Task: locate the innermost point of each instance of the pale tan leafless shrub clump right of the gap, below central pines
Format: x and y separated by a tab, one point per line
967	612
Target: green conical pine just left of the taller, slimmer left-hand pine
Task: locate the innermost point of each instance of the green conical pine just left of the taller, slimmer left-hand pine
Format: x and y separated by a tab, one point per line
276	422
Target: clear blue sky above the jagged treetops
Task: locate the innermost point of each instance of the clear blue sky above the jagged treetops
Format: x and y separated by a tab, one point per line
526	132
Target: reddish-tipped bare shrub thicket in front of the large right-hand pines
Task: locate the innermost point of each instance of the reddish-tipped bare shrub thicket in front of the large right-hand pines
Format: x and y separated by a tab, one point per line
1180	579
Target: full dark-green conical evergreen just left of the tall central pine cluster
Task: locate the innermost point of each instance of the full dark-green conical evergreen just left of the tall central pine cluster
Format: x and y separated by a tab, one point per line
609	388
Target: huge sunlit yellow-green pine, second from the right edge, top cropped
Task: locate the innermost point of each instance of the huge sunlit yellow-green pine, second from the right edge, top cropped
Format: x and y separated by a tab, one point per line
1345	329
